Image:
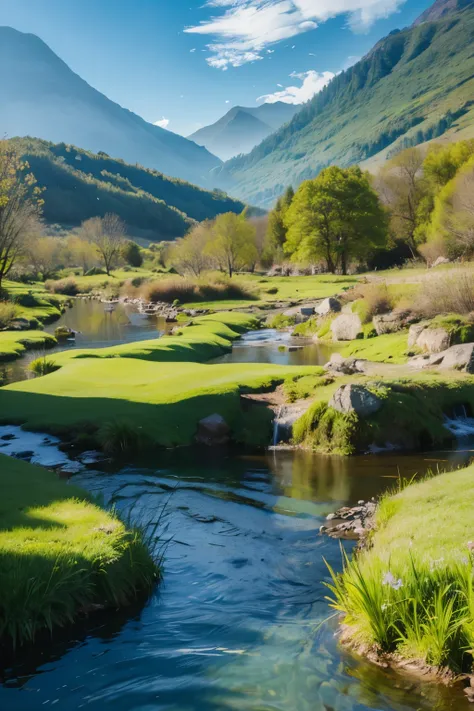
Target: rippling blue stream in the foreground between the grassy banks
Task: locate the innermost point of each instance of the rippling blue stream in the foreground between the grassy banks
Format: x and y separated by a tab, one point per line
239	619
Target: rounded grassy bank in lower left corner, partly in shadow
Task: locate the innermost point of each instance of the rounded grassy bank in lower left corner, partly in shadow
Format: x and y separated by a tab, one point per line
60	553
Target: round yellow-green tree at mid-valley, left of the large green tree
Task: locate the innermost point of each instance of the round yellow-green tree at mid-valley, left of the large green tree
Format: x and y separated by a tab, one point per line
232	245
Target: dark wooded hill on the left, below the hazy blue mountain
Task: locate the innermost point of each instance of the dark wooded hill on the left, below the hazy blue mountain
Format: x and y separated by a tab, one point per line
78	185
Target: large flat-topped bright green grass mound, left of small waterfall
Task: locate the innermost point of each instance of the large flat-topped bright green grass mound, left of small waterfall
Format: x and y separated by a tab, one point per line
162	402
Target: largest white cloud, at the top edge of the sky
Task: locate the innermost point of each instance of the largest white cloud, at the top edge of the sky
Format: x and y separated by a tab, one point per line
245	28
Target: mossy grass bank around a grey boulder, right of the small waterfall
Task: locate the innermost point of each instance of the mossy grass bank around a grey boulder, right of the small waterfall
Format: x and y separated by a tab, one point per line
411	416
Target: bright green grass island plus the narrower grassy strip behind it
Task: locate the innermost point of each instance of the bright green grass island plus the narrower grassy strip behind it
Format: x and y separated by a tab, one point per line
150	393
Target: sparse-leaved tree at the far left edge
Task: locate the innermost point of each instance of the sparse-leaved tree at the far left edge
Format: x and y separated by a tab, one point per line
20	207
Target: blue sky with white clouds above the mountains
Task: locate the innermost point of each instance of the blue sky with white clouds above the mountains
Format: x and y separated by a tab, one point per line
188	62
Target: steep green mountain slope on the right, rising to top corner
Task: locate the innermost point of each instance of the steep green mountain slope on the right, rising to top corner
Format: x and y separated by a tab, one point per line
414	85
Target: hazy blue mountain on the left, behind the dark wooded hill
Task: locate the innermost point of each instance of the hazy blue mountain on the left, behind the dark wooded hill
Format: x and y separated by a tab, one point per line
41	96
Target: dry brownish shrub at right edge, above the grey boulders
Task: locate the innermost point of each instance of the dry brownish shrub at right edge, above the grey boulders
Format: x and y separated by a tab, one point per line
447	294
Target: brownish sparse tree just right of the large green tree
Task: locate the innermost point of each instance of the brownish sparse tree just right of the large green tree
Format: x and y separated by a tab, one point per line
403	189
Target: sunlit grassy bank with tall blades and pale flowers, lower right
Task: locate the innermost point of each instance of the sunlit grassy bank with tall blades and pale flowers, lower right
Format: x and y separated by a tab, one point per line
411	594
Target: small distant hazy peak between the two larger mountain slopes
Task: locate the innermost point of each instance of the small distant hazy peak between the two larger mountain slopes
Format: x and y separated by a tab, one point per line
242	128
